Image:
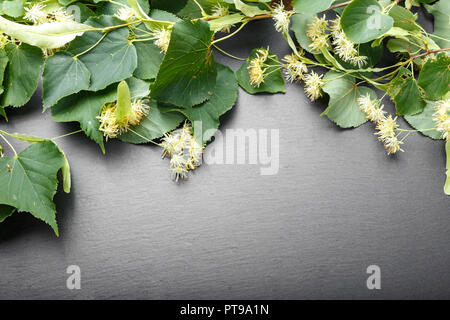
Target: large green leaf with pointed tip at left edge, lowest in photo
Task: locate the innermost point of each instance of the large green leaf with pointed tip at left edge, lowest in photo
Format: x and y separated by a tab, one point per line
29	181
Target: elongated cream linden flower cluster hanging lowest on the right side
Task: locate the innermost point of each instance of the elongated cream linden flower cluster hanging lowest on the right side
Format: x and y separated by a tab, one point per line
386	126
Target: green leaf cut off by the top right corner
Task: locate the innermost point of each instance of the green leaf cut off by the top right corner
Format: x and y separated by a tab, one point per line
441	12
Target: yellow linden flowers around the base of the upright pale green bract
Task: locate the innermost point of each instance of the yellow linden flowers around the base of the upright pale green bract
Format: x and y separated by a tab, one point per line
109	124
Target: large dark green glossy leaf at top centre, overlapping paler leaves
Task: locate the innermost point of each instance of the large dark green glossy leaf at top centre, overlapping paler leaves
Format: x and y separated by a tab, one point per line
187	75
